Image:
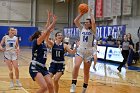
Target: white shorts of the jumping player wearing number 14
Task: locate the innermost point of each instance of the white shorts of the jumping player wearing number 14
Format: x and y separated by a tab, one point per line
85	53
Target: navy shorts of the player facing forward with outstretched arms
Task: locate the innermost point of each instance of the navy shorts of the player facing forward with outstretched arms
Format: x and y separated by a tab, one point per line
56	67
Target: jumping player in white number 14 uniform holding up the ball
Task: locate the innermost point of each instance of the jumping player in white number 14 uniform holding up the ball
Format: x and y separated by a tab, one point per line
84	51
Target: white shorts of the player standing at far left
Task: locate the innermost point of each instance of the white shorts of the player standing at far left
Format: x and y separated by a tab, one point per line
10	55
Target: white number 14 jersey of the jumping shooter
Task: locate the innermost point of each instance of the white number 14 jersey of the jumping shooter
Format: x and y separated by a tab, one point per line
86	38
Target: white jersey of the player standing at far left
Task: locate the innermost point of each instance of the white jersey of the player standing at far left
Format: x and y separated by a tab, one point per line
10	43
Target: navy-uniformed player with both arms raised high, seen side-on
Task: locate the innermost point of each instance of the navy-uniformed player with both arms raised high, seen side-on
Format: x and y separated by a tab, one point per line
37	69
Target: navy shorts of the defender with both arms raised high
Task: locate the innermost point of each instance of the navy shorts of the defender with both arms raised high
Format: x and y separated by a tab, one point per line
34	69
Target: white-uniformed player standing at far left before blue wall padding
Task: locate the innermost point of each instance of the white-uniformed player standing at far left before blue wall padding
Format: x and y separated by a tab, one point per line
10	55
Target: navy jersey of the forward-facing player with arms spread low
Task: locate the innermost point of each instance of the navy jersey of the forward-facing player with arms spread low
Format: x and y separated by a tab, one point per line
58	52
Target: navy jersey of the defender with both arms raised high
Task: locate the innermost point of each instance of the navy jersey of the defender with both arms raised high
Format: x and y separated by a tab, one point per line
39	52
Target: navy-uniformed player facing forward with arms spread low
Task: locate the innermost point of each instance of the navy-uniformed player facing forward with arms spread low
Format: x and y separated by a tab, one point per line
57	65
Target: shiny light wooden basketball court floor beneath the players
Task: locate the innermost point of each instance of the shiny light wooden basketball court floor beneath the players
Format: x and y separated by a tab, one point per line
105	80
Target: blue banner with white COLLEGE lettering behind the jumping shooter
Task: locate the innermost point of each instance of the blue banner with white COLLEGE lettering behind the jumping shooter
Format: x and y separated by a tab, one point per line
101	31
